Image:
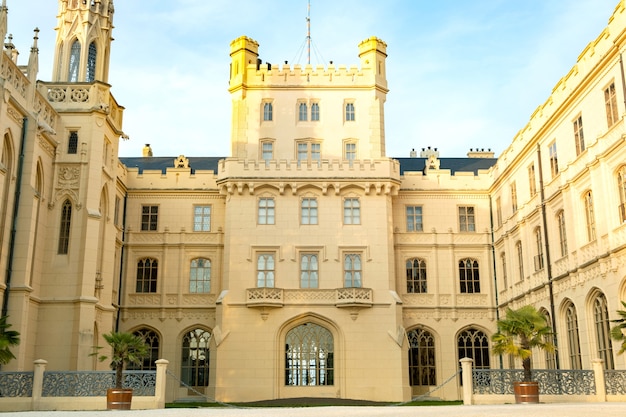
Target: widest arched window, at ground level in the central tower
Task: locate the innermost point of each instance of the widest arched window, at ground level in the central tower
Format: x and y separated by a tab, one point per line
309	356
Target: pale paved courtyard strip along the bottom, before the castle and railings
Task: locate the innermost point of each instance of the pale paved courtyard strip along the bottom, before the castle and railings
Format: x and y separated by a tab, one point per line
512	410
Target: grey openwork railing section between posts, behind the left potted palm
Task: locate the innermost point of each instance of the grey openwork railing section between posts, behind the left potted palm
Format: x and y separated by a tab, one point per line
96	383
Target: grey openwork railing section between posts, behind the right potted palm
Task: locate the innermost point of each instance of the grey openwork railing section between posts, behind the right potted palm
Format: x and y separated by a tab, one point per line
551	382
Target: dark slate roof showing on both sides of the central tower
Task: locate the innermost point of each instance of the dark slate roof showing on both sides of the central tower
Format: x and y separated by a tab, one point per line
406	164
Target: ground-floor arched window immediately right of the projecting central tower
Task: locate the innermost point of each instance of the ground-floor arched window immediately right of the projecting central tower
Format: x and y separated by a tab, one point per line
422	369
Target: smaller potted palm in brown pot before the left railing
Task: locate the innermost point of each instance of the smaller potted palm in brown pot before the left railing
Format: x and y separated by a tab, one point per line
126	348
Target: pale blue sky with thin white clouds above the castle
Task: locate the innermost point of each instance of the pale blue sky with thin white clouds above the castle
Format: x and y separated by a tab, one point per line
462	73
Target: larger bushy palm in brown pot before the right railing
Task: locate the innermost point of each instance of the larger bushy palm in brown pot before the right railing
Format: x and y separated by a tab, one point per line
519	332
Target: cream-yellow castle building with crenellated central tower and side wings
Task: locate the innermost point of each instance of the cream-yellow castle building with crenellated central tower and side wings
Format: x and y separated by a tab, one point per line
307	263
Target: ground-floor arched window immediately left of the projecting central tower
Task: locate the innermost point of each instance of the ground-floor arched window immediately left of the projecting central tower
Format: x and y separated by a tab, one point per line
194	369
